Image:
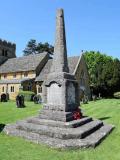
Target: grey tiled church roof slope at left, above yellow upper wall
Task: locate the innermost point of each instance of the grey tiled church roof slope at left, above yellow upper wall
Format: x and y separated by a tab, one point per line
25	63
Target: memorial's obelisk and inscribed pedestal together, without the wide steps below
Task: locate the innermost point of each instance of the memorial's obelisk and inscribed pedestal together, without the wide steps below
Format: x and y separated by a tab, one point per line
62	89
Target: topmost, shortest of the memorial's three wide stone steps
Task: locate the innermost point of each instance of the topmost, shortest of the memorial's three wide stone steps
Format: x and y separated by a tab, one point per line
71	124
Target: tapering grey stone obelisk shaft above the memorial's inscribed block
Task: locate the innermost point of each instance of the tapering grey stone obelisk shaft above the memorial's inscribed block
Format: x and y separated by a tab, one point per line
60	63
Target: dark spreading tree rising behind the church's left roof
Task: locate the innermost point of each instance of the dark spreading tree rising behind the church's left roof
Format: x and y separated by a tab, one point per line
35	48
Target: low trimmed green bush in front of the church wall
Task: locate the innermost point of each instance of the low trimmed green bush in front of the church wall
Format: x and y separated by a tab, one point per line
28	95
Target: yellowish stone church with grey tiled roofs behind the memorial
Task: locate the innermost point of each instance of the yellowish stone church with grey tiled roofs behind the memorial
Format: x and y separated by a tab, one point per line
29	72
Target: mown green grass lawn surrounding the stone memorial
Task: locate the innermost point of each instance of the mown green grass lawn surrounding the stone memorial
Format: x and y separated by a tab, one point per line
14	148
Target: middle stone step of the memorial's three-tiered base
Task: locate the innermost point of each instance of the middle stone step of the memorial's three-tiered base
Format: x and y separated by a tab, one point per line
62	133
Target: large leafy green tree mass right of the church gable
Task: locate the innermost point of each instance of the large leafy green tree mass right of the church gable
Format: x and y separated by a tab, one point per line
104	73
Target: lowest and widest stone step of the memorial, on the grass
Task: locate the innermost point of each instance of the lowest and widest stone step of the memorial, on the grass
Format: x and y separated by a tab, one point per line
91	141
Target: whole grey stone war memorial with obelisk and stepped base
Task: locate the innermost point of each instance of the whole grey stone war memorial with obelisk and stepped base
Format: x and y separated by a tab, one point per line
61	123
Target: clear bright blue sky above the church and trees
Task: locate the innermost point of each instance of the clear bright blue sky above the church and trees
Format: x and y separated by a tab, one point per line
90	24
